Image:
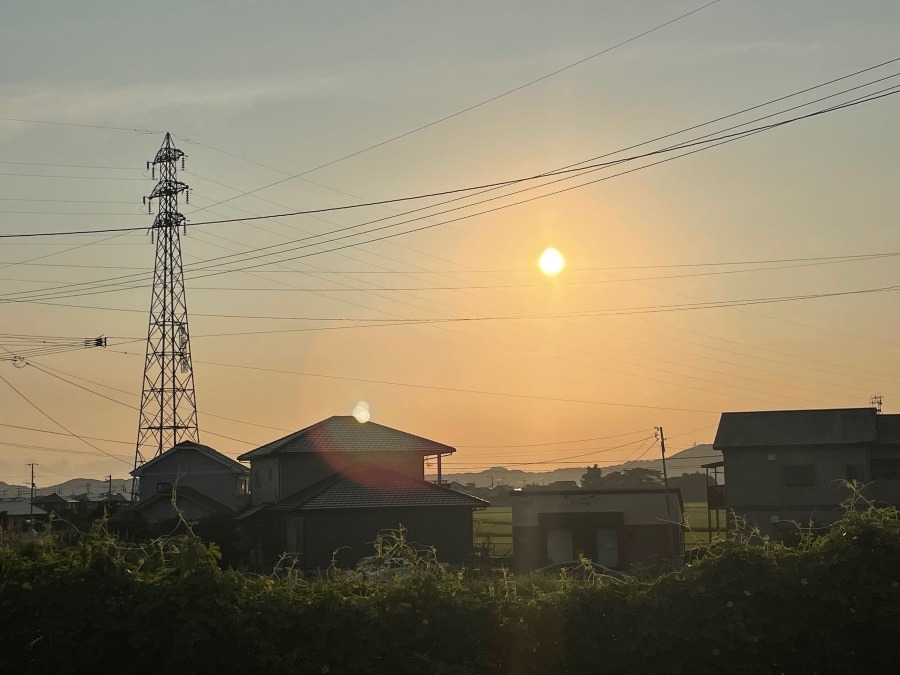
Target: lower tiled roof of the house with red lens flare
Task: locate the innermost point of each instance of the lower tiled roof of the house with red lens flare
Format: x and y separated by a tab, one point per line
369	486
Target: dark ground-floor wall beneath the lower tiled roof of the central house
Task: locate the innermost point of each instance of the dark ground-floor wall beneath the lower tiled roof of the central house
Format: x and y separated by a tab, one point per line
351	532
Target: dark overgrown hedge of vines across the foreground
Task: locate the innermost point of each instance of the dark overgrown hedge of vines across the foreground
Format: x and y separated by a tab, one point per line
829	603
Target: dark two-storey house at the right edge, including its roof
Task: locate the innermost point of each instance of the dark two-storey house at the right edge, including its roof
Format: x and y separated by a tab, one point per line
787	466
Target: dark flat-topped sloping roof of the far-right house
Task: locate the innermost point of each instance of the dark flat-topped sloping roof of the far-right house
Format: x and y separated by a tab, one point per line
840	426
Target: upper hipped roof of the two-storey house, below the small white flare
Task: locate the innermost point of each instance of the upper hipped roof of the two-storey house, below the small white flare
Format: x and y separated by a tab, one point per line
345	434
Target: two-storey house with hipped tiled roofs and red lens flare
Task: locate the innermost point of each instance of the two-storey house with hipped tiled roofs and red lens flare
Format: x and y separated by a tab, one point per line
325	492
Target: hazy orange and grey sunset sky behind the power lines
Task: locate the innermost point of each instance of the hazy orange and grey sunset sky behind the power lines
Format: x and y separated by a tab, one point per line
285	106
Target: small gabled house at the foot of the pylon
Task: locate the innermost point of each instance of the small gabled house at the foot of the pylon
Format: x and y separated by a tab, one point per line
205	483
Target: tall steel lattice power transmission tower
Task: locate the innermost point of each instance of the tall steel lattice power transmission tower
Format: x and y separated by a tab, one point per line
168	403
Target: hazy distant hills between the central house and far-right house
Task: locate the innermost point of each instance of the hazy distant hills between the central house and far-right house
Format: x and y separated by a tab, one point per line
686	461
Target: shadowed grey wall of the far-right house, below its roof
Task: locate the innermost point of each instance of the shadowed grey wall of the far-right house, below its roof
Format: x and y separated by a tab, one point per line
757	484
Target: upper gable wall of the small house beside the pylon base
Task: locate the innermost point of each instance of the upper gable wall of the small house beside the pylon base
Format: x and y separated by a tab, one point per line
190	468
